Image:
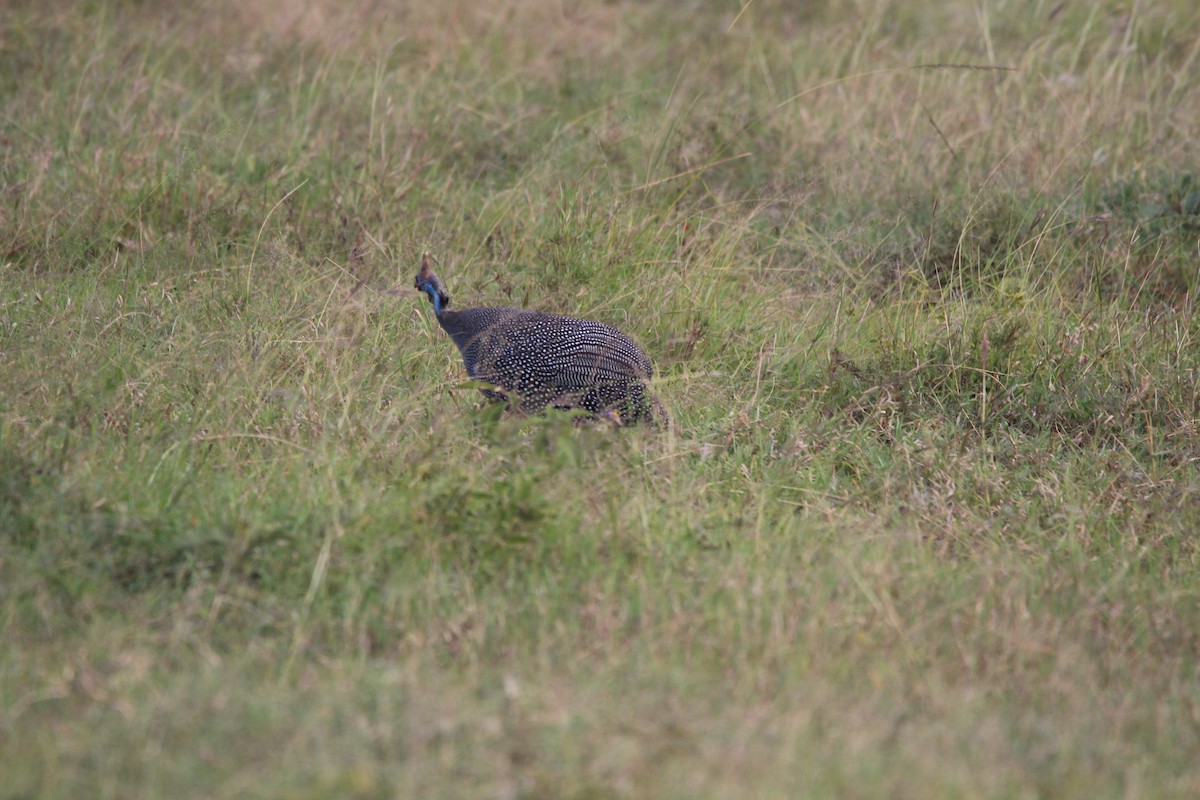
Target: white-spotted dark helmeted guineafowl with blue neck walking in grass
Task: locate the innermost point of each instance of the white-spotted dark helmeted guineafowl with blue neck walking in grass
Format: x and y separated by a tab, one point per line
538	360
